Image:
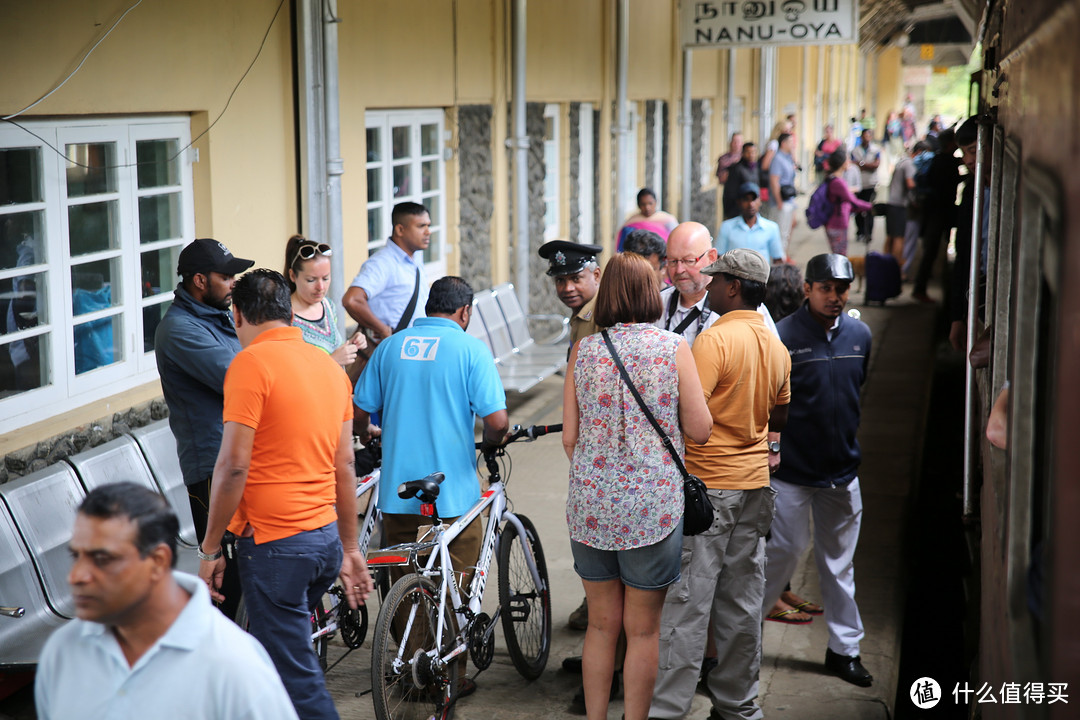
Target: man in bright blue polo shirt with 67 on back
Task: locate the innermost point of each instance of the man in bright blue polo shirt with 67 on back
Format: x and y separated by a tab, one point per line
429	383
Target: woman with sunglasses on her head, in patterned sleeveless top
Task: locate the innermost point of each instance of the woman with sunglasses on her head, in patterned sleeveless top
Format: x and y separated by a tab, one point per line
308	270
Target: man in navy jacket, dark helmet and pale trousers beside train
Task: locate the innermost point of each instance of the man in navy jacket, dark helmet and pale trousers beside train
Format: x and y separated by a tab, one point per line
819	458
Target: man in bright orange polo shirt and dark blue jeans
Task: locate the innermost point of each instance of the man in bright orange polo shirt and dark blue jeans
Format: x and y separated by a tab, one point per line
286	463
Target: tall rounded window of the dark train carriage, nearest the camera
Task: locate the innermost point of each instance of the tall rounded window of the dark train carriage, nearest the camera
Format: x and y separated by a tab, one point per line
1032	406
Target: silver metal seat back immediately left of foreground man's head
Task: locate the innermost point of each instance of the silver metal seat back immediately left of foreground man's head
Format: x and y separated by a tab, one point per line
43	508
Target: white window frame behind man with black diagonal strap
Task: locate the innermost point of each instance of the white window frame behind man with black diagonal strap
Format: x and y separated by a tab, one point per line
436	257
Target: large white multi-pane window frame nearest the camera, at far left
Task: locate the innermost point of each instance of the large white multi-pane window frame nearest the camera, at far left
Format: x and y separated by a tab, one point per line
66	390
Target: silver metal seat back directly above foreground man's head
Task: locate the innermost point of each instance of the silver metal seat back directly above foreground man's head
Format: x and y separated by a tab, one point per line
121	460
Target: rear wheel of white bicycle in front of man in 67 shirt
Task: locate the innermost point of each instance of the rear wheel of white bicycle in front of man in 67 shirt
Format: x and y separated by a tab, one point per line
407	685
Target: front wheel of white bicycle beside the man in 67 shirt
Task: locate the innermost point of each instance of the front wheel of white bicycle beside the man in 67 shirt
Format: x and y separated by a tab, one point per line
526	609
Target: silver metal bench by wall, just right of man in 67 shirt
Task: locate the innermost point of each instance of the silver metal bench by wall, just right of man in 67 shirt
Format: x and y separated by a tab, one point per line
521	366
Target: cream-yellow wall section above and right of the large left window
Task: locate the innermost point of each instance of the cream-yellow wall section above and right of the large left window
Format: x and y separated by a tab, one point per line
177	58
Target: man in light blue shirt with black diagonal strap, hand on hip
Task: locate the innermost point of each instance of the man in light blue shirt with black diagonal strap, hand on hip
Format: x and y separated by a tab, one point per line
390	290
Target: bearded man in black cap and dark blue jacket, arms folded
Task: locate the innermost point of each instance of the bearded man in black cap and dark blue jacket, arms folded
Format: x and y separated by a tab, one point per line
195	344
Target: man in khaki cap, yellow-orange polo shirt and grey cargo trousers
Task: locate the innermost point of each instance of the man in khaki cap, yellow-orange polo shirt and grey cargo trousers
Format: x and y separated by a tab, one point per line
745	373
